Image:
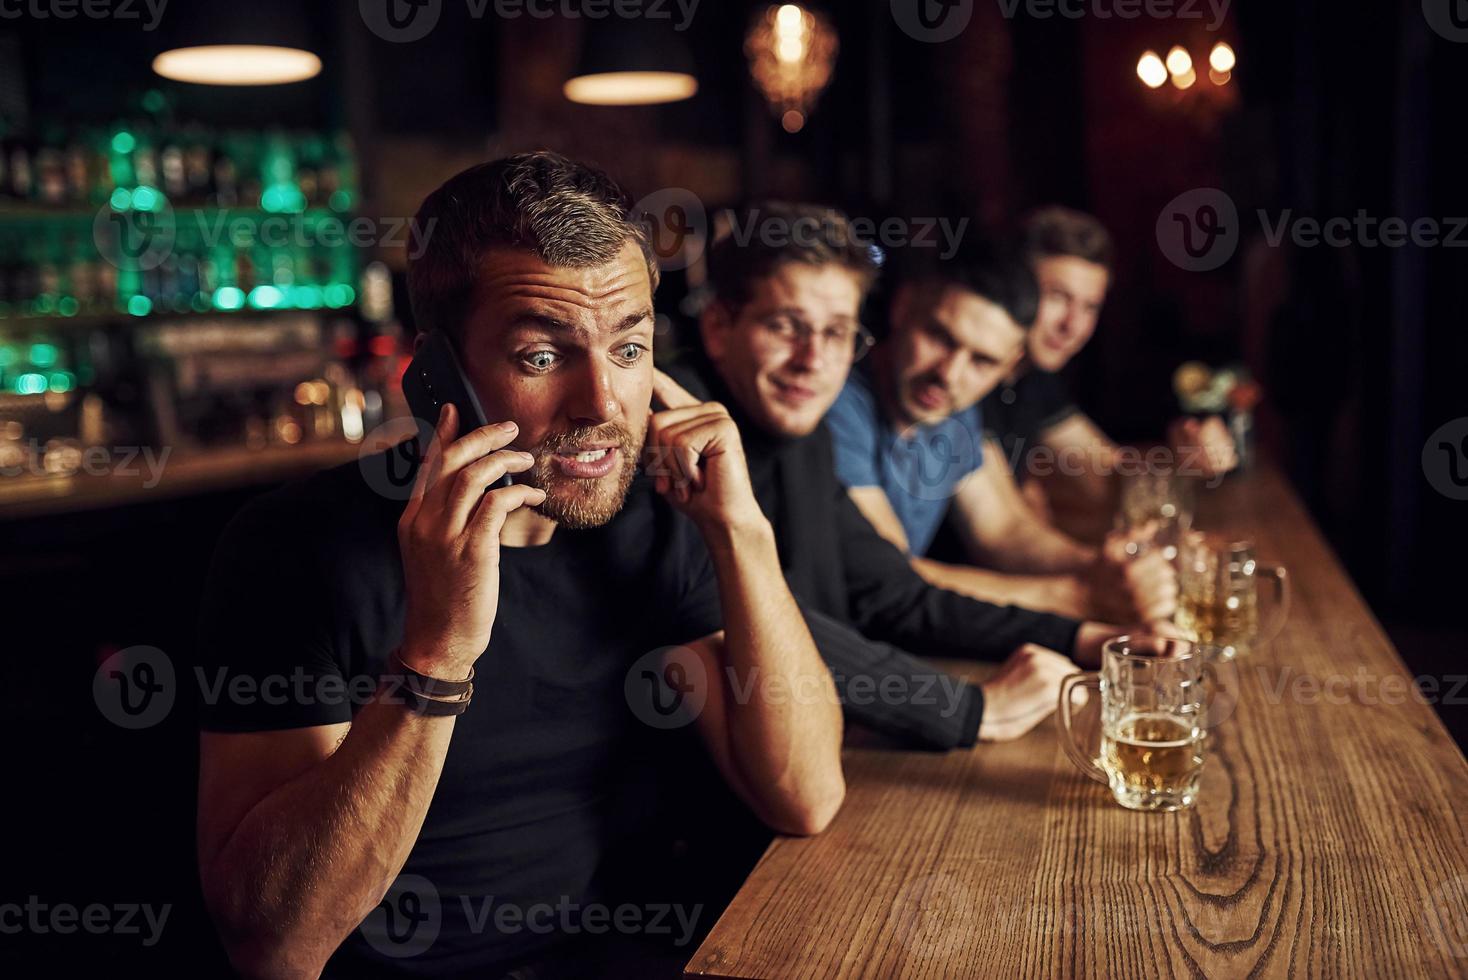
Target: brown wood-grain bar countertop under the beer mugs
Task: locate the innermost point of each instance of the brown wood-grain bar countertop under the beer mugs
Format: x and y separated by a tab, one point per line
1329	838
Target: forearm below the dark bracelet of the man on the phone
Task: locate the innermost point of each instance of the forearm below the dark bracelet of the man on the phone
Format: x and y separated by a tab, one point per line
312	859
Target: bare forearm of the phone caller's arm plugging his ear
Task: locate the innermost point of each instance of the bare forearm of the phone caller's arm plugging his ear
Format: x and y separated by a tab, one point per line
786	737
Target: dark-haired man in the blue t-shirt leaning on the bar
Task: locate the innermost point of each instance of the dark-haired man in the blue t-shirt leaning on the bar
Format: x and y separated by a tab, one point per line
911	450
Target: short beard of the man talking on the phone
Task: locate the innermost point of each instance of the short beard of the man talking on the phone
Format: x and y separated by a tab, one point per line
578	502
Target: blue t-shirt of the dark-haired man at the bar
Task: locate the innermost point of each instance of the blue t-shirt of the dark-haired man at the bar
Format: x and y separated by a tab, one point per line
918	472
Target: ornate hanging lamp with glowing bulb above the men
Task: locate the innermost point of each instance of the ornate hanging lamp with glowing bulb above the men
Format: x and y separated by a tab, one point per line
792	52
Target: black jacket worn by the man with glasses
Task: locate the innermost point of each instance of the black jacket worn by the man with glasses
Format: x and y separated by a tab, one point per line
862	598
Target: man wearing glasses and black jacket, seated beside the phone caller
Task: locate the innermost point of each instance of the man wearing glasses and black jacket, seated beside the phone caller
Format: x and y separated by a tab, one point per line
780	337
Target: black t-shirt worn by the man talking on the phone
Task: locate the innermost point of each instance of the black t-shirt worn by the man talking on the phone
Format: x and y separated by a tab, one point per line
548	769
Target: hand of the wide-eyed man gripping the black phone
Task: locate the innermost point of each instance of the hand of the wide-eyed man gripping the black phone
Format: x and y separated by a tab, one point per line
448	536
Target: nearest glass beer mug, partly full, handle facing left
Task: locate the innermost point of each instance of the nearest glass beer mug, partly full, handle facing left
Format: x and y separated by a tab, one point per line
1153	721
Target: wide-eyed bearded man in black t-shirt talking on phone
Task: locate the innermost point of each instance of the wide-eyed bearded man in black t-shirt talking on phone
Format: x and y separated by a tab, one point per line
494	759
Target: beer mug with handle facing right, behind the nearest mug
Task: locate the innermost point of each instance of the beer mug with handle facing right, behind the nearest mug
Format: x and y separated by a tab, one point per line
1219	595
